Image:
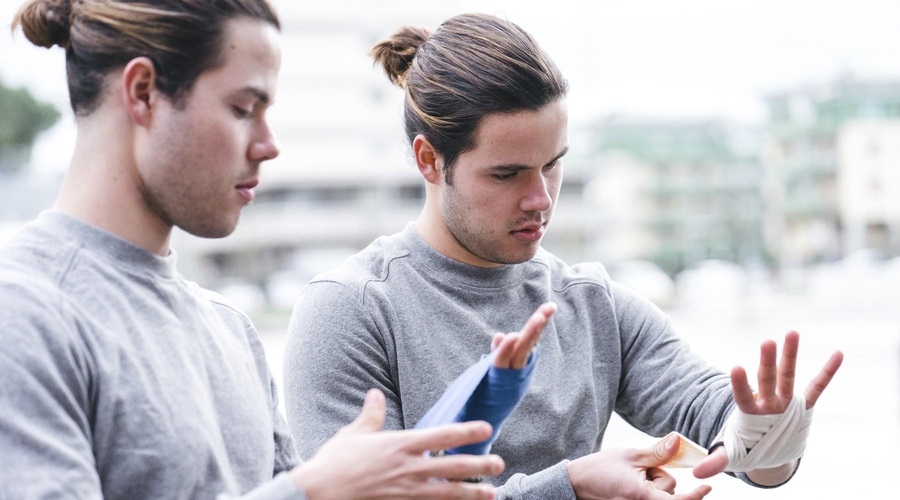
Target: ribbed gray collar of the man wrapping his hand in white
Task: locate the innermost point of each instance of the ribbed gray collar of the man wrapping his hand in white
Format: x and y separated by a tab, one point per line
445	268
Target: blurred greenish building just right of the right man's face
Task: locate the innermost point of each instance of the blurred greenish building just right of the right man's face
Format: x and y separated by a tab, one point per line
676	191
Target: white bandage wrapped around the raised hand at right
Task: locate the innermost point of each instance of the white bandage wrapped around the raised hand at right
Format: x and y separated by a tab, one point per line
765	441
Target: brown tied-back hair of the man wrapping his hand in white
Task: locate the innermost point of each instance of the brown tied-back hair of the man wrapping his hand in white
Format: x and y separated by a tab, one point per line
471	66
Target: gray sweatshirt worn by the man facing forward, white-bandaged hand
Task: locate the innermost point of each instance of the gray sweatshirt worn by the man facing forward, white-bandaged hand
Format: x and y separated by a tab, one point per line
401	317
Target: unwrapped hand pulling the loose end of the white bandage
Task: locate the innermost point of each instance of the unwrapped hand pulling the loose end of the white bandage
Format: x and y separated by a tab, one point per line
635	474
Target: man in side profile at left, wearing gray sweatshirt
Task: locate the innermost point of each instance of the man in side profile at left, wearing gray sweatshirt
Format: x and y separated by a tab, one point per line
119	379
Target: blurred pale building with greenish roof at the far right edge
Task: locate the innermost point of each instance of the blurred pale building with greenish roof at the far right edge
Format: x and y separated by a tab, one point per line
831	161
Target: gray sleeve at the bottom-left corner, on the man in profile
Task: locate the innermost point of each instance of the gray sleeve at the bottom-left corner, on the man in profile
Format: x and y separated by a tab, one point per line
45	393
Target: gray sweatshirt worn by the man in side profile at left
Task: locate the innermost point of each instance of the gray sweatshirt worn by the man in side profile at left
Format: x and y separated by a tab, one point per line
121	380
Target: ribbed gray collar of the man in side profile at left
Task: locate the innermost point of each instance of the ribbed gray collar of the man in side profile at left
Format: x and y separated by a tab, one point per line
107	246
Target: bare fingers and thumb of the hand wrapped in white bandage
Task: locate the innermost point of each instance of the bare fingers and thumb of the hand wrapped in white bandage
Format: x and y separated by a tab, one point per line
776	389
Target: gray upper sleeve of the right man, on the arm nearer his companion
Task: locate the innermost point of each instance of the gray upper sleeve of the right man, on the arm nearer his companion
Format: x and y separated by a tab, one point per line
334	354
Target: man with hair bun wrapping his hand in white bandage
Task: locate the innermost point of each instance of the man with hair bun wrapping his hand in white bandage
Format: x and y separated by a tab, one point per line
485	116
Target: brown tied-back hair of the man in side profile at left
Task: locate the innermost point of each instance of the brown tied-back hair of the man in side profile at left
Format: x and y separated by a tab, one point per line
182	37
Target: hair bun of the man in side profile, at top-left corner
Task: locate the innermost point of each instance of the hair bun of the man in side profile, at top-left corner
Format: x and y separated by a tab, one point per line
45	23
